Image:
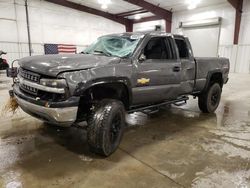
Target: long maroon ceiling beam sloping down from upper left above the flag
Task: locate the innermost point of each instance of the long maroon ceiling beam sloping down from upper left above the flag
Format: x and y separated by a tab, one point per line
90	10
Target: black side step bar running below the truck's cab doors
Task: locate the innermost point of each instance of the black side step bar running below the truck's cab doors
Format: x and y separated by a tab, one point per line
143	108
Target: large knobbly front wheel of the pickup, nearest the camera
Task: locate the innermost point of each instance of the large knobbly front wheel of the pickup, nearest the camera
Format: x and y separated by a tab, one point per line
105	127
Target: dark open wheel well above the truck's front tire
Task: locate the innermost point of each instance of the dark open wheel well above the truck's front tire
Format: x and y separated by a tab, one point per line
116	91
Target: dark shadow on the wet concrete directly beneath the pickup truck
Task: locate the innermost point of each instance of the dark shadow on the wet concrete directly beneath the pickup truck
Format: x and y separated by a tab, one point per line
155	127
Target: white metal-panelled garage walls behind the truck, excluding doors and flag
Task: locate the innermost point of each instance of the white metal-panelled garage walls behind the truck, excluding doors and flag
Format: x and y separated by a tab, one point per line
50	23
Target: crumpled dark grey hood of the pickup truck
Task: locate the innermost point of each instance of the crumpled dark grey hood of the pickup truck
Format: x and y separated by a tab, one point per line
52	65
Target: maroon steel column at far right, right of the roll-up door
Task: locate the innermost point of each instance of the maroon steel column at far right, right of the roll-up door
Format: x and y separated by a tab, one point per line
238	5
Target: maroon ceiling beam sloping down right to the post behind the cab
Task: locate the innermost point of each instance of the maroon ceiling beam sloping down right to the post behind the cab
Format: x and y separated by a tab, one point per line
163	13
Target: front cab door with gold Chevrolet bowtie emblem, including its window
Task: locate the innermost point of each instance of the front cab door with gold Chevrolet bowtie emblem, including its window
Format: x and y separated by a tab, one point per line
158	71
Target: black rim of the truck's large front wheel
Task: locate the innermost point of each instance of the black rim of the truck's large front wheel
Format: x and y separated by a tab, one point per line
115	128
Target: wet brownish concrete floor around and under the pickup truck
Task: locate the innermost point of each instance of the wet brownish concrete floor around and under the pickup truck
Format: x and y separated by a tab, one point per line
178	147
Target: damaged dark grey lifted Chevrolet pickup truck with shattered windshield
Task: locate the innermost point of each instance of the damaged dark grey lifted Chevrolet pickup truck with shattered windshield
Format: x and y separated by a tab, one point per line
119	73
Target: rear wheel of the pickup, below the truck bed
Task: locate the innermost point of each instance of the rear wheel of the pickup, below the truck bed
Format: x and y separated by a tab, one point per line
209	101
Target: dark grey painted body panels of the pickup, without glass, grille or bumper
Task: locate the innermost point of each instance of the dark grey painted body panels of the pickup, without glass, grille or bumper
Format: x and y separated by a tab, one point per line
82	71
